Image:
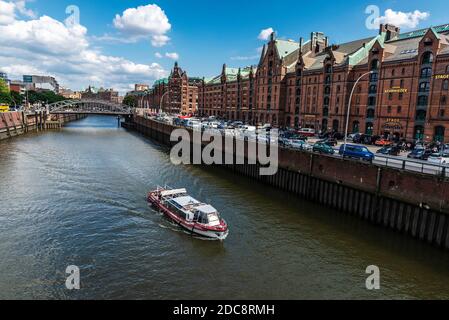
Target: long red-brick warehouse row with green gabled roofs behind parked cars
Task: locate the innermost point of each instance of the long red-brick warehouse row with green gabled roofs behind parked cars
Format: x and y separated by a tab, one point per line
308	84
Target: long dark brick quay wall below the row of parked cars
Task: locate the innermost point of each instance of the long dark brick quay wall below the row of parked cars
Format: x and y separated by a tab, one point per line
411	203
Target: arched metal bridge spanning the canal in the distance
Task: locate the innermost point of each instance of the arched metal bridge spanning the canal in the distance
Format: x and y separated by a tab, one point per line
97	107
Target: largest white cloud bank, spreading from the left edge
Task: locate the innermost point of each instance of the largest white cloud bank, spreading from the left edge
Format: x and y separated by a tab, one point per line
48	46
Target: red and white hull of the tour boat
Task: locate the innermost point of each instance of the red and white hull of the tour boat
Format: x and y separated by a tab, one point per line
192	227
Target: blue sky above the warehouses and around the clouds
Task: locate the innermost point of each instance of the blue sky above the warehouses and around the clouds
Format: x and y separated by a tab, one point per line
205	34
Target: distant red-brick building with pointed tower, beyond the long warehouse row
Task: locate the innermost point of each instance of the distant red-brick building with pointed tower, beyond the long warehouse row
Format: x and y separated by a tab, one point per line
177	94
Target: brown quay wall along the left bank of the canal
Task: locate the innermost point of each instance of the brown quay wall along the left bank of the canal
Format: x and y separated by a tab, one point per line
16	123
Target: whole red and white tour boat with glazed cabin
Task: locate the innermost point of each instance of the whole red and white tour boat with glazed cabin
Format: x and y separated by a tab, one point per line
196	217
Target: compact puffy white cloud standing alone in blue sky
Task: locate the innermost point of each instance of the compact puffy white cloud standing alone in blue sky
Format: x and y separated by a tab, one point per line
143	22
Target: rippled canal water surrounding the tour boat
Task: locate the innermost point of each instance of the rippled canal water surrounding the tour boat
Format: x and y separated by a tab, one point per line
77	197
